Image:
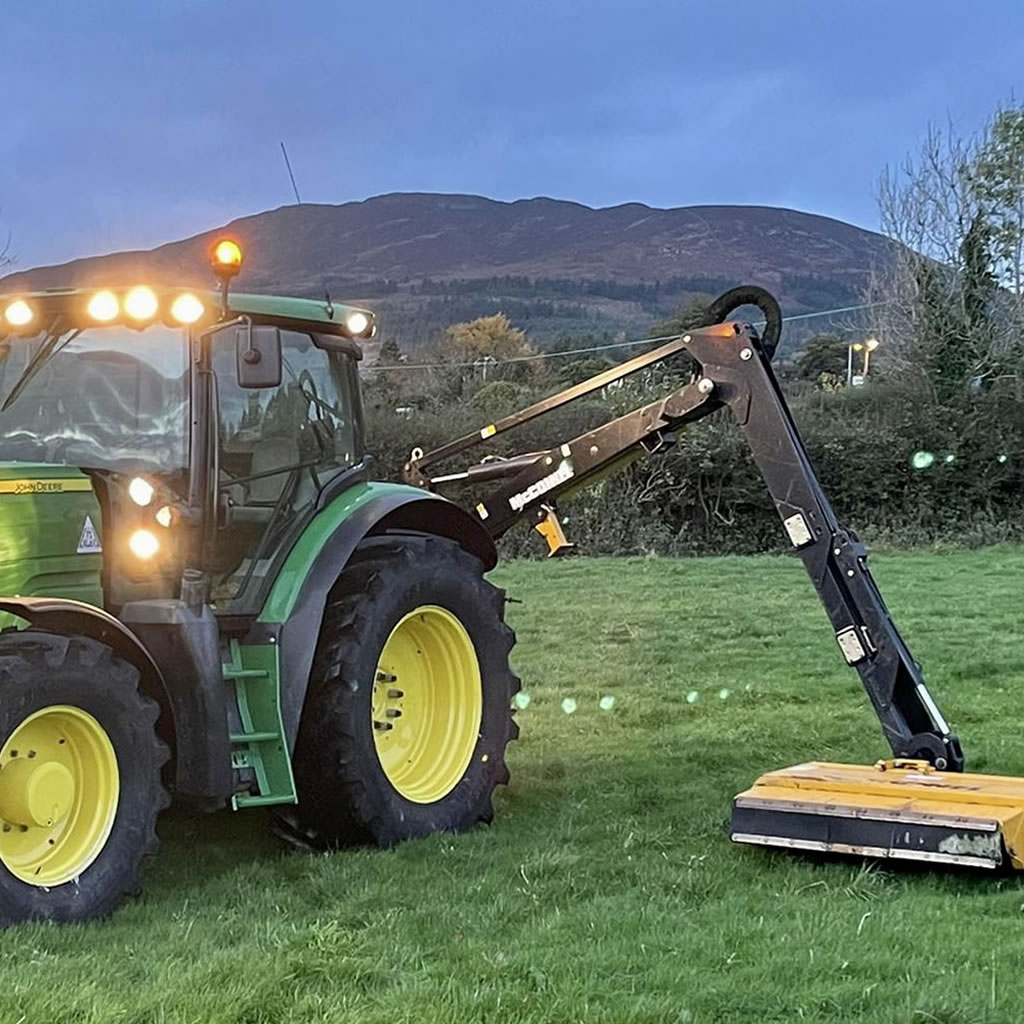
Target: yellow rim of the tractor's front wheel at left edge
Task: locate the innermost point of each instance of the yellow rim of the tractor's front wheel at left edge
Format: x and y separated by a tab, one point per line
59	795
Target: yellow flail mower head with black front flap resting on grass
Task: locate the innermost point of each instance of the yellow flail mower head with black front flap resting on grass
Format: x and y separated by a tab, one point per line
901	810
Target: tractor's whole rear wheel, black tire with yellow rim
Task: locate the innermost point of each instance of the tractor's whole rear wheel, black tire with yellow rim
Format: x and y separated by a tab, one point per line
409	709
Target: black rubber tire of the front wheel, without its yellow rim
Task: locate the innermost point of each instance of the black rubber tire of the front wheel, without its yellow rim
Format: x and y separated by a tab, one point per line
42	670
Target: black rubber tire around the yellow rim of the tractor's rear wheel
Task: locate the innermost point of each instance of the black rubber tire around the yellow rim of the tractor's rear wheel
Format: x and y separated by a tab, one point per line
345	794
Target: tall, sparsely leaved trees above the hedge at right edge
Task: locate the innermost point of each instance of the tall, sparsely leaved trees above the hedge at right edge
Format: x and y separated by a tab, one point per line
949	304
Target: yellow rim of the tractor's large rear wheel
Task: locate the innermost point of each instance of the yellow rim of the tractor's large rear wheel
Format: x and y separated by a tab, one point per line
428	705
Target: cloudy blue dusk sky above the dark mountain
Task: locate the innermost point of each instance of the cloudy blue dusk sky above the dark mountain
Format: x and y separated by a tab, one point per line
131	124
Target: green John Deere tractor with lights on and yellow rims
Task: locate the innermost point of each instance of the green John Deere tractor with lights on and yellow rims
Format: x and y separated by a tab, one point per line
208	601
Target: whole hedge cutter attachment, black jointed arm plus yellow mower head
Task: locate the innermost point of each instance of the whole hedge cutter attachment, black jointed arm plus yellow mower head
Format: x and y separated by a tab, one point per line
920	805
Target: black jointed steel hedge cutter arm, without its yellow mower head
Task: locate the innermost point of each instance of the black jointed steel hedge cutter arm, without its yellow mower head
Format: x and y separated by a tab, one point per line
735	370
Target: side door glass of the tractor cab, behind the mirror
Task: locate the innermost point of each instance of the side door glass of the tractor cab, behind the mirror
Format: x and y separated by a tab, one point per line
279	448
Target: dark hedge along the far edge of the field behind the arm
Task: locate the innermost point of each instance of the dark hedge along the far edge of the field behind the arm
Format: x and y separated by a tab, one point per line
705	495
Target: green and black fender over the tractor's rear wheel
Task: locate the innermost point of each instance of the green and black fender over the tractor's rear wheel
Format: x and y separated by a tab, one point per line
293	613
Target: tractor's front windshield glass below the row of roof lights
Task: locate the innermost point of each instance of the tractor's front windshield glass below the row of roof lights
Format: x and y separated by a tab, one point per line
103	398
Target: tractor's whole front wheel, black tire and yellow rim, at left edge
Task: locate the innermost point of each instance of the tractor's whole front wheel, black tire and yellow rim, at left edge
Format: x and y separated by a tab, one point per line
79	779
